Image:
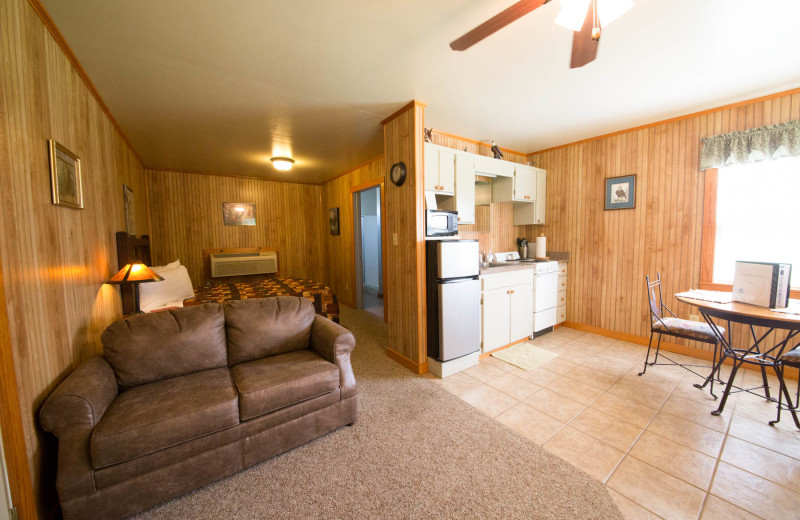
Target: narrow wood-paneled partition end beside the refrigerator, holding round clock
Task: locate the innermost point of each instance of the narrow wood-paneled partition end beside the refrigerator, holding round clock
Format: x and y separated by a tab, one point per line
405	263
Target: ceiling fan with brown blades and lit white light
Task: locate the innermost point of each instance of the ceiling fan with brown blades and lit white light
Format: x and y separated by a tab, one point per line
584	17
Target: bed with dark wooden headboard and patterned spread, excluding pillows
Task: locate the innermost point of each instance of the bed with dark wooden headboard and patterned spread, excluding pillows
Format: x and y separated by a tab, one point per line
325	303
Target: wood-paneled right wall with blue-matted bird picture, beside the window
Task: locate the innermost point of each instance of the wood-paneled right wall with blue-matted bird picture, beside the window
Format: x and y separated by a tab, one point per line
612	251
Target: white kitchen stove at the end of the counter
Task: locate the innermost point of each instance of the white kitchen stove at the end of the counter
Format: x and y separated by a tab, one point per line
545	289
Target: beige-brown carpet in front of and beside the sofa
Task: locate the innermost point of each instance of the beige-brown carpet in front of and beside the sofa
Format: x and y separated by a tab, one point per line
415	452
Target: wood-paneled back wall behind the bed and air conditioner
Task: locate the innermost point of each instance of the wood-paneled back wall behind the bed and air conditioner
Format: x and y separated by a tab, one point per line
186	211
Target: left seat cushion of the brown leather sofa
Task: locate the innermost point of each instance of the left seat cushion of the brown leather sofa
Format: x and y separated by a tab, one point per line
151	417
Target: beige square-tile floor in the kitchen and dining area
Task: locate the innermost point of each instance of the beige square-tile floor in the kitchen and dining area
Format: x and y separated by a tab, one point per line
651	440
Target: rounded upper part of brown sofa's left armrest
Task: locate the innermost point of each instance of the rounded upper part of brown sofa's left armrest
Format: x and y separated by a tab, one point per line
78	403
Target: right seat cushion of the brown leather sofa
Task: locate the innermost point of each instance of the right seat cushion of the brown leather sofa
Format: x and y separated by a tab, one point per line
278	381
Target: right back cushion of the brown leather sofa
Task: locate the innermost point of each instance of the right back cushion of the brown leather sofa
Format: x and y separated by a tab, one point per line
261	327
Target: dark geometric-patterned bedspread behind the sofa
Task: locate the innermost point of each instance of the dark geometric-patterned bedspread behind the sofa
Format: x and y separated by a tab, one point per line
322	297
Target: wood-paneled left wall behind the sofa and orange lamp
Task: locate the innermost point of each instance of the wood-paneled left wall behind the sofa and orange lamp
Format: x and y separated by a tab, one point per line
55	260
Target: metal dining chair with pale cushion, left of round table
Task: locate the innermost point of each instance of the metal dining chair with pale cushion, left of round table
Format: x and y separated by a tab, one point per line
671	325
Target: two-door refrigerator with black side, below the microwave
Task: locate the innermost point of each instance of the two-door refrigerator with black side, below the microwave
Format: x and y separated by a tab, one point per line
454	305
